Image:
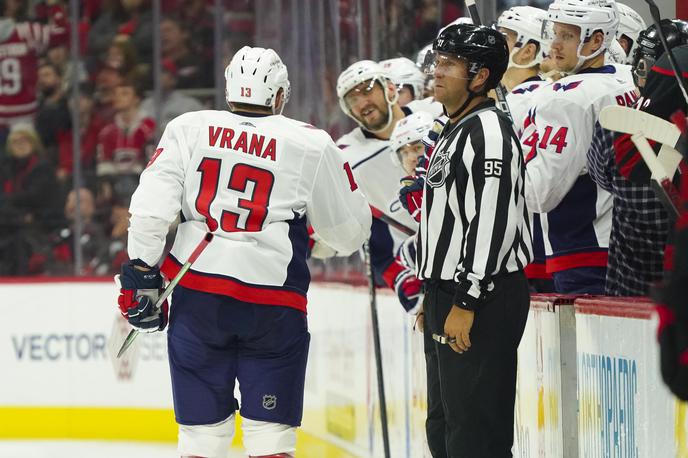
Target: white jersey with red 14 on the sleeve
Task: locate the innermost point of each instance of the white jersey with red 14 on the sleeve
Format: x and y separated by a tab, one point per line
575	212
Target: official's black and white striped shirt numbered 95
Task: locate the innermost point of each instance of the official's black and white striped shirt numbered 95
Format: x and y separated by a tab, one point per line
474	222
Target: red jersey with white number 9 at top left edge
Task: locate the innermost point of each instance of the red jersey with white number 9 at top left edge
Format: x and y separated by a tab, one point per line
19	53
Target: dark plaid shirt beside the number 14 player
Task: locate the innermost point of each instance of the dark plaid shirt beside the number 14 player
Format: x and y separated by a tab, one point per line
640	225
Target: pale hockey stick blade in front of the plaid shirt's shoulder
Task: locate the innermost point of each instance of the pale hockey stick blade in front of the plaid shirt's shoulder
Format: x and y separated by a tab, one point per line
630	121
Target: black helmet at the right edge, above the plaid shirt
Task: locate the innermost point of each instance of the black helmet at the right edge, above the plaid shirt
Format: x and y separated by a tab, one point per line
650	46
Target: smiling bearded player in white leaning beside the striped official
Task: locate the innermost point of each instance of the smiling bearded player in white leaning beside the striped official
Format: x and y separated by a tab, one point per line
368	96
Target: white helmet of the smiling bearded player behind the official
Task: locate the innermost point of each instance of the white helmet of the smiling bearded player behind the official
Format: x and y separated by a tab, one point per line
357	73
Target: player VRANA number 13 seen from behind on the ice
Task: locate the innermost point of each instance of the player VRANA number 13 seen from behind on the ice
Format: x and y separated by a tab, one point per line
253	178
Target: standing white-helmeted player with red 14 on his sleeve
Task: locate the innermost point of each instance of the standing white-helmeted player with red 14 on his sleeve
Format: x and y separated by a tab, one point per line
559	129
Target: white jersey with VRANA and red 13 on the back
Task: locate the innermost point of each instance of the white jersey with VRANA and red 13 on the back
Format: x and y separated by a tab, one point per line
253	181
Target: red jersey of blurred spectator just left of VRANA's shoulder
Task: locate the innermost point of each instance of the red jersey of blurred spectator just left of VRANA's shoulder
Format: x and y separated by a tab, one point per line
121	149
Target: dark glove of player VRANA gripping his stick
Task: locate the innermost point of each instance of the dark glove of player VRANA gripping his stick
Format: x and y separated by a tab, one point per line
139	291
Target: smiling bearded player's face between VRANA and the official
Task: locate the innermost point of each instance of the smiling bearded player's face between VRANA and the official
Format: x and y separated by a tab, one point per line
368	105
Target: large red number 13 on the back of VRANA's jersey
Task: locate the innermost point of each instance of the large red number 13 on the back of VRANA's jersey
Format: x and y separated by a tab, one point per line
256	205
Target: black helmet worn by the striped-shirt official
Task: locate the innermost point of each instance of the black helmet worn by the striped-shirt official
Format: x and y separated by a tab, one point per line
480	46
